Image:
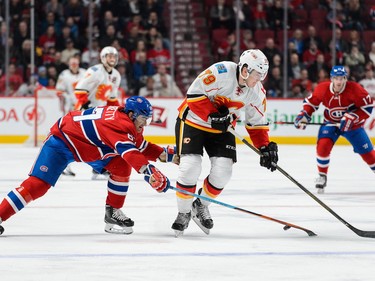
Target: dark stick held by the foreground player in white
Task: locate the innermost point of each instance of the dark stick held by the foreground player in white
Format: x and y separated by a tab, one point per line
362	233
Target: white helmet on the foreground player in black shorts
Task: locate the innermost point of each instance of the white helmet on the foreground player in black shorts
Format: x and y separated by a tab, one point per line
254	59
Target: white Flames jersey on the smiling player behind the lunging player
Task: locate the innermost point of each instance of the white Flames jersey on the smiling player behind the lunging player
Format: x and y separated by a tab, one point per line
99	85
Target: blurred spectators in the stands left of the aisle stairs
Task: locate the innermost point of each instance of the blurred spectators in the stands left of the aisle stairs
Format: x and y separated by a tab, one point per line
134	27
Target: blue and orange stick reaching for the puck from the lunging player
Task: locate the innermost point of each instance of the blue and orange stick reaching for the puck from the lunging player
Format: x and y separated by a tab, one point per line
287	224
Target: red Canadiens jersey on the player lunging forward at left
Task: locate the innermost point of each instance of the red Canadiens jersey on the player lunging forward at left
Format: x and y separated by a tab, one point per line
102	132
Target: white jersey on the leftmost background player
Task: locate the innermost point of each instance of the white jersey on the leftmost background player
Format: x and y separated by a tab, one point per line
66	83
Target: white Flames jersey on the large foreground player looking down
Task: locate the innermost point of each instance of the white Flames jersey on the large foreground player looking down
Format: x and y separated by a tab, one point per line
220	84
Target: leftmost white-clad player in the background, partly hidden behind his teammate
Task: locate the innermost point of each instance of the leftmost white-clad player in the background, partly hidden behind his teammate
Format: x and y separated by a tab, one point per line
66	83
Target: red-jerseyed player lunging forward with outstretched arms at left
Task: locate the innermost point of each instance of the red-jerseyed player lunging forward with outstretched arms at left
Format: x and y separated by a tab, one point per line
107	137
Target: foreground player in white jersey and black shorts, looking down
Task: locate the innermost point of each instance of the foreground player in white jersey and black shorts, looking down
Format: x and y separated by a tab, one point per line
213	101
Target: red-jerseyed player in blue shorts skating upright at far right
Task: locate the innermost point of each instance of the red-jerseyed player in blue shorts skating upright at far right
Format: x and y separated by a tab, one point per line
347	106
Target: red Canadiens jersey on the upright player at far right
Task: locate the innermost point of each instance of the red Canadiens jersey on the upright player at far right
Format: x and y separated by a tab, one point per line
352	99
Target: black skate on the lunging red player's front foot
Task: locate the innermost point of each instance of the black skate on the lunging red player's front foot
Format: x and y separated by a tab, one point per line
117	222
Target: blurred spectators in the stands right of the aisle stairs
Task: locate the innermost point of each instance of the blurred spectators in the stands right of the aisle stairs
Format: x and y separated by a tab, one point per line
309	39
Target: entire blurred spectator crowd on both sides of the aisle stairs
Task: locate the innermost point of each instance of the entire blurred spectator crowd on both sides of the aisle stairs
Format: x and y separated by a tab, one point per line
136	28
